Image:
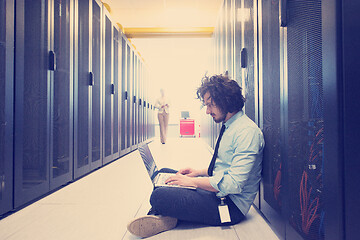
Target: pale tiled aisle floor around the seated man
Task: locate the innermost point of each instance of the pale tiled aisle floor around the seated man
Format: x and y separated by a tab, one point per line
100	205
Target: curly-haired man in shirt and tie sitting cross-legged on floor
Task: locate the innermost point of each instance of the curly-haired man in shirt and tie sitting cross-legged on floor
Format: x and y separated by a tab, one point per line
225	191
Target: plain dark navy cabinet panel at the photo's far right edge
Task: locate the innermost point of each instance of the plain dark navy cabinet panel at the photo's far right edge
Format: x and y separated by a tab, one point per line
340	20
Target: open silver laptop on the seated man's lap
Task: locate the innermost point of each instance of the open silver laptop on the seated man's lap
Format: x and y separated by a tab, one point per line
157	177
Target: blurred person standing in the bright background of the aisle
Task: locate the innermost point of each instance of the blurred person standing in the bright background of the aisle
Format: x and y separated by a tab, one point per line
163	105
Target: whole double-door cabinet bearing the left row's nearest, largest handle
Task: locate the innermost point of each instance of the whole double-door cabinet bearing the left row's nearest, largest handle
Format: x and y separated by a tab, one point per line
43	98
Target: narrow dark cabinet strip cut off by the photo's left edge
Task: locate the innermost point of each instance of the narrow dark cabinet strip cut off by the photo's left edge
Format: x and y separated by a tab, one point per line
6	103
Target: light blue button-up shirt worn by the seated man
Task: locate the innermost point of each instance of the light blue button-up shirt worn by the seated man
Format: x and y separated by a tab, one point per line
237	171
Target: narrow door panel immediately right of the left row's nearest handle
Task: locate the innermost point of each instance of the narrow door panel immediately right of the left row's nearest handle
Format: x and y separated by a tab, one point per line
61	97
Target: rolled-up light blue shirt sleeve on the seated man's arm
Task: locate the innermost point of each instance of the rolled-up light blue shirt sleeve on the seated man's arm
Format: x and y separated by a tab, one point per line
244	151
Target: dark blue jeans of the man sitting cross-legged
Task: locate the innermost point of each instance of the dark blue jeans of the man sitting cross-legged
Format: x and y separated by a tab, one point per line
197	206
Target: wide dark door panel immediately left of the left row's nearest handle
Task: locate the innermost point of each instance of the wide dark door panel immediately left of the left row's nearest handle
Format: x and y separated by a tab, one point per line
31	102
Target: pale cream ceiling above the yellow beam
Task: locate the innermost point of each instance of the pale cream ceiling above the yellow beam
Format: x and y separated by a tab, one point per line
164	13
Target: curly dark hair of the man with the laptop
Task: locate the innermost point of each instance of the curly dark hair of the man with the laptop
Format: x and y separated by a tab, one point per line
224	92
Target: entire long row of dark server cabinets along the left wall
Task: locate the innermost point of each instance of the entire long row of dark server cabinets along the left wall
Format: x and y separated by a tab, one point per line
53	122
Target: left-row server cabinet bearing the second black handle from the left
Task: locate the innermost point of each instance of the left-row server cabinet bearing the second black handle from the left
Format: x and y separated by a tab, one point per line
87	88
